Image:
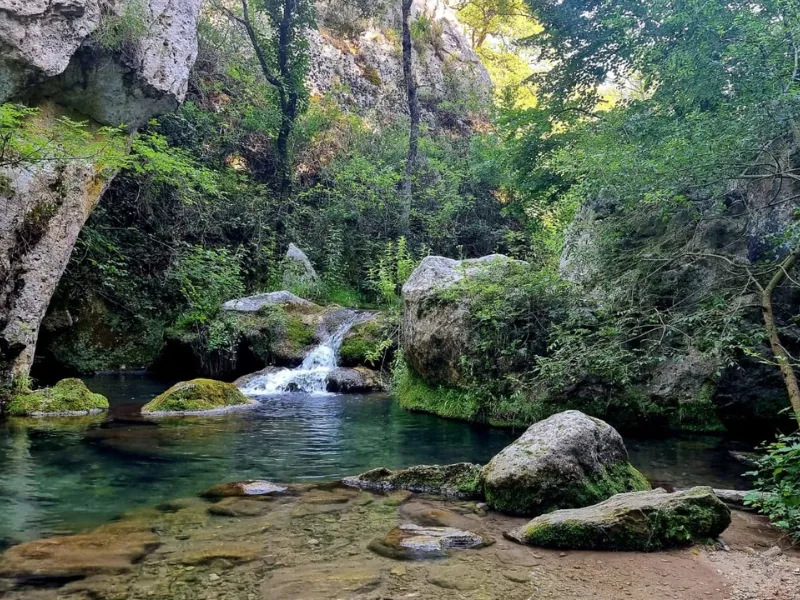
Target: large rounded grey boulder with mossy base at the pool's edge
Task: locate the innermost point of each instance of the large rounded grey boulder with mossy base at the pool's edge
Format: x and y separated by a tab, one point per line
569	460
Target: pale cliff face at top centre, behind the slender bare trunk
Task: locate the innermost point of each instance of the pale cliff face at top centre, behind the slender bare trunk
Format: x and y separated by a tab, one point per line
358	59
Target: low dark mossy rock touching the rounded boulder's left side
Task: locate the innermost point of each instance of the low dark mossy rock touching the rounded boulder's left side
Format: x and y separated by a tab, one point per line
461	480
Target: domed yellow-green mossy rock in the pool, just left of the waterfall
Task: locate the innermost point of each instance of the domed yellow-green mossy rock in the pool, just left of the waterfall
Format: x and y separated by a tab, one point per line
199	396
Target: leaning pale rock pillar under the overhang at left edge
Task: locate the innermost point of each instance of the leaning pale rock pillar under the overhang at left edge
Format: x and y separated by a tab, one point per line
39	223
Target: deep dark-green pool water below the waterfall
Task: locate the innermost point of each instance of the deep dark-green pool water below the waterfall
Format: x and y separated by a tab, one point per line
58	477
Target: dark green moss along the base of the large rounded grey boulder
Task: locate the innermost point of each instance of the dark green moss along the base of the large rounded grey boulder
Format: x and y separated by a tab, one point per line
548	493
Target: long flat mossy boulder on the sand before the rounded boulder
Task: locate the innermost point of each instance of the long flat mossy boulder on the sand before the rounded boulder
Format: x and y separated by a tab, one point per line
640	521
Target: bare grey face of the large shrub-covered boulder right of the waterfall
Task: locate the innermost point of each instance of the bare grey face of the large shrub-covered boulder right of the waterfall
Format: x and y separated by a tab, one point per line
435	333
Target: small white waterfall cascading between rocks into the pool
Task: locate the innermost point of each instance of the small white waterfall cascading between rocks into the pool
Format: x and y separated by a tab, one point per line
311	377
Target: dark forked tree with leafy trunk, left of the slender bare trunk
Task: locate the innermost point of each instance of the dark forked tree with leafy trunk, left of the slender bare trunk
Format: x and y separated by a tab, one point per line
282	54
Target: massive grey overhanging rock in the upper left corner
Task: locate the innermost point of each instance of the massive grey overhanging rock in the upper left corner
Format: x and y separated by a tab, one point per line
50	53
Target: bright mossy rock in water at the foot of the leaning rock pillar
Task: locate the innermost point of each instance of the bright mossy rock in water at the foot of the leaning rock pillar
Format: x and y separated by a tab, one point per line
69	397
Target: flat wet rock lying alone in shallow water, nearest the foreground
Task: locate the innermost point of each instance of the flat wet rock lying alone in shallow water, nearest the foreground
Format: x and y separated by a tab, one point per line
408	542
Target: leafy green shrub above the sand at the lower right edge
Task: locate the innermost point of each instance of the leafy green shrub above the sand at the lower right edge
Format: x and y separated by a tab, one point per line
777	485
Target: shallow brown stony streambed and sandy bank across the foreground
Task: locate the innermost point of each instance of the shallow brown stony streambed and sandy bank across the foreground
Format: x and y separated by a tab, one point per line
314	544
